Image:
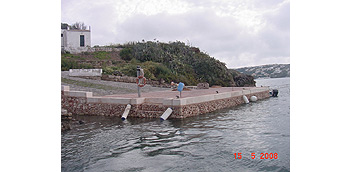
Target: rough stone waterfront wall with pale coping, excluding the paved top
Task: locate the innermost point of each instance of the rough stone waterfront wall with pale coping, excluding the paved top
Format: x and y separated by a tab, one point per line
83	103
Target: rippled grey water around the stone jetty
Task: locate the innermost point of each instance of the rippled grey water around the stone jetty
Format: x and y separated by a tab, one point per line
203	143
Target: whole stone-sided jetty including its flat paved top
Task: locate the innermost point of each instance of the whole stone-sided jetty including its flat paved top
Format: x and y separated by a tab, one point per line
152	105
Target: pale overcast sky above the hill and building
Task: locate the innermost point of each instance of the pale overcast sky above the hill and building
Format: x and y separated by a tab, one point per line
238	32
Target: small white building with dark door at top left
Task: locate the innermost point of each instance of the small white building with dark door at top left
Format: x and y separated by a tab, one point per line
75	40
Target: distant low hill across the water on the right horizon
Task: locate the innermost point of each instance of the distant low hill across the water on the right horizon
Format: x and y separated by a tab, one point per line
265	71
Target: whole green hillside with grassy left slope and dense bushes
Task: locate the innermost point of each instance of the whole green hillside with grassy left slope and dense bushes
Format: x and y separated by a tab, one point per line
165	62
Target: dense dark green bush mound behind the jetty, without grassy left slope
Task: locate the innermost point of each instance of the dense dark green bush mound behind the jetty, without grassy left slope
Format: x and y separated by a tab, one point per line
176	61
